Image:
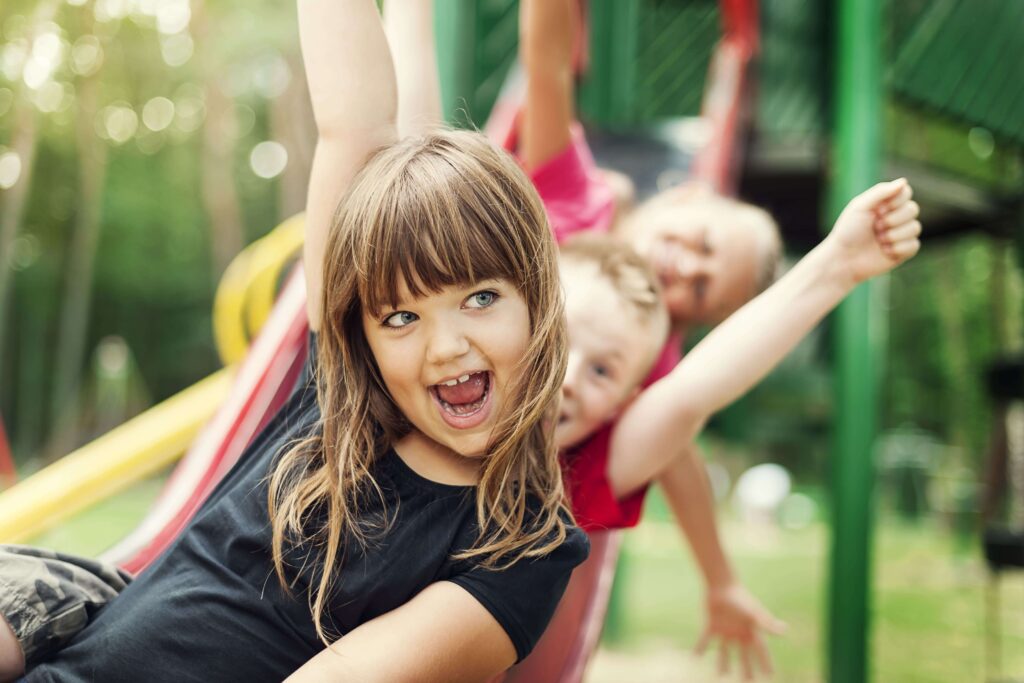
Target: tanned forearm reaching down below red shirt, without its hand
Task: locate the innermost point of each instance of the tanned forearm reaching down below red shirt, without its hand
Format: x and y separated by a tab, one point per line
685	484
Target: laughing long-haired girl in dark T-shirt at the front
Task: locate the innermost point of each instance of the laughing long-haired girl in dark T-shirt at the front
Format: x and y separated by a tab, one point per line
405	507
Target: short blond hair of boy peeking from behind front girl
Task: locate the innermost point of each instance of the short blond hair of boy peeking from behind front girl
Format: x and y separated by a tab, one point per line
631	278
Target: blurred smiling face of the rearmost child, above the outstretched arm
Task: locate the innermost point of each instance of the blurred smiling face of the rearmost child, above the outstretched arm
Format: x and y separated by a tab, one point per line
707	265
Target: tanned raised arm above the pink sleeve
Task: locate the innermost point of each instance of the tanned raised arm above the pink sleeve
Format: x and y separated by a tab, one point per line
546	34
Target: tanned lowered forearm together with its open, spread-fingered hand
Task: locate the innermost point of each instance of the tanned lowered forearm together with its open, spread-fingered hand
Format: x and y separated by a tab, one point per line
736	618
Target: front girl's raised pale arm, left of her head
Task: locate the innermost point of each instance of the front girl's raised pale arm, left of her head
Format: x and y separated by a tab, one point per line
353	89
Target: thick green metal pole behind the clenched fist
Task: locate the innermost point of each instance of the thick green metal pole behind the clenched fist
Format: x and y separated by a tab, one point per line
859	338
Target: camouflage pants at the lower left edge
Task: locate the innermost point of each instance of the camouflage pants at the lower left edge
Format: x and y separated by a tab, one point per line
48	597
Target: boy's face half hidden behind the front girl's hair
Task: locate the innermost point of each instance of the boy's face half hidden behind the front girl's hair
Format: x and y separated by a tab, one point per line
610	353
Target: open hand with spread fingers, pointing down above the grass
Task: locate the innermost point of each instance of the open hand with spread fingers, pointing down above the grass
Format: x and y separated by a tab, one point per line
737	620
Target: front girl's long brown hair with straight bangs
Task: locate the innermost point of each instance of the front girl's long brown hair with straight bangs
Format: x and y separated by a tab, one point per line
444	209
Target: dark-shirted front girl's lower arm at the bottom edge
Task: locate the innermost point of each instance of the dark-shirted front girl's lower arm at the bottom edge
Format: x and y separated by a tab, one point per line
443	635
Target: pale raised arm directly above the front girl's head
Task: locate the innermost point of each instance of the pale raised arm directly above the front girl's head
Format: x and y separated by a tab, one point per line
410	26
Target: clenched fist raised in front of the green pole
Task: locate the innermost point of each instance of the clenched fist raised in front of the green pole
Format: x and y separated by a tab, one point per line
878	231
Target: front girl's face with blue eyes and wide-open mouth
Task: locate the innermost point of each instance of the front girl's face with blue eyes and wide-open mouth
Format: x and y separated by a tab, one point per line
449	359
